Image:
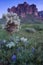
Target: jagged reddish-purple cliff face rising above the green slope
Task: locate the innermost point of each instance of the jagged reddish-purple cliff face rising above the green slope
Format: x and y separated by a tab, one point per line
24	9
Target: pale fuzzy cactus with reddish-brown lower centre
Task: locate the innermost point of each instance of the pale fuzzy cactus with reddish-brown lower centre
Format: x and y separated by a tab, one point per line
12	22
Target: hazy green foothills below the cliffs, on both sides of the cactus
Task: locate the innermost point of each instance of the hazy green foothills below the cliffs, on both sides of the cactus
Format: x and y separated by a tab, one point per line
29	19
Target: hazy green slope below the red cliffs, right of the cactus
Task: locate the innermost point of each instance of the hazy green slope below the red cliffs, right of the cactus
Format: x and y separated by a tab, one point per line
31	19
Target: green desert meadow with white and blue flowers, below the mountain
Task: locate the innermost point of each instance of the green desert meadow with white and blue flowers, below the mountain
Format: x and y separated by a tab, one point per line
24	47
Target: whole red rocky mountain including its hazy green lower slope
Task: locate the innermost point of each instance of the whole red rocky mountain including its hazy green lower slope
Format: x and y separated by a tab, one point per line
28	13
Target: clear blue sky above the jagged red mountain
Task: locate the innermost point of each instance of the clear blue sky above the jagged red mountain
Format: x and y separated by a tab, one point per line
4	4
